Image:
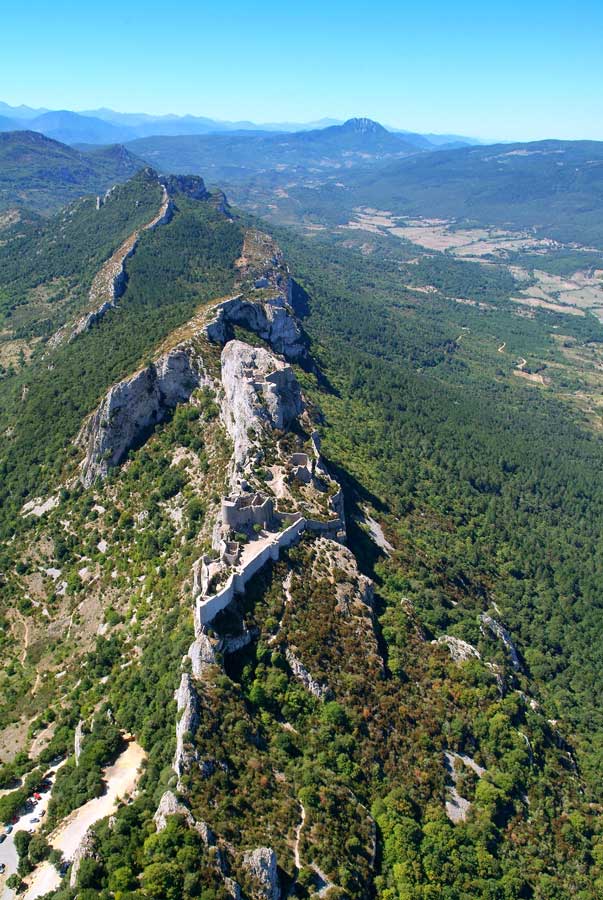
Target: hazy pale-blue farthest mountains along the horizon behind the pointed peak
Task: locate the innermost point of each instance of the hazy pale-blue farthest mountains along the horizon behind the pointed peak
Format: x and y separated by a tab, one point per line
104	126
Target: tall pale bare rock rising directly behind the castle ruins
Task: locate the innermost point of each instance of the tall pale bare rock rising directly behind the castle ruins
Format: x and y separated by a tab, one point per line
260	391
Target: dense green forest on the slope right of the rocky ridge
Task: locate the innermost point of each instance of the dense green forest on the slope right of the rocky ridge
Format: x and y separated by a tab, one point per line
489	486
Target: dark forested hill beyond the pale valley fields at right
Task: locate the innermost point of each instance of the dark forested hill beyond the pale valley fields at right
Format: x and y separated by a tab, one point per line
555	187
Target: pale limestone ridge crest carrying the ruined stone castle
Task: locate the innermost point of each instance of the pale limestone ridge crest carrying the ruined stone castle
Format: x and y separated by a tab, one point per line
279	484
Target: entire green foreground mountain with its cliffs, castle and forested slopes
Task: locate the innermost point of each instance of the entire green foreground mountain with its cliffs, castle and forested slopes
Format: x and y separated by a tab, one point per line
309	527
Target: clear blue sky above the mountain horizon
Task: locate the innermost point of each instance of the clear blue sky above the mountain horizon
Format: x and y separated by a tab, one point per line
515	70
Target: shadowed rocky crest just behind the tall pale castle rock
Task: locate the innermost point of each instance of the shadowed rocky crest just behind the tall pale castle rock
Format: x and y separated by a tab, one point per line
270	319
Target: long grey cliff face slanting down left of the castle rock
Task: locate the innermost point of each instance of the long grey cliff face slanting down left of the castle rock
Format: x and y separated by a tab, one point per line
134	406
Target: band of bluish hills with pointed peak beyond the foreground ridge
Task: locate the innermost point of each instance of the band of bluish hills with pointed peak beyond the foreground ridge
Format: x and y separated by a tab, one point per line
555	187
